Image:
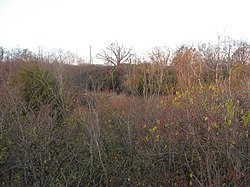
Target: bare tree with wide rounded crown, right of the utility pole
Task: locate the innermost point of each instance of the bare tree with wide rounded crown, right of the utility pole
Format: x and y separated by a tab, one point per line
115	54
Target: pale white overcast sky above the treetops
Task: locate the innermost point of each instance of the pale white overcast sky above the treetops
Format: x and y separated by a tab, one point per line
143	24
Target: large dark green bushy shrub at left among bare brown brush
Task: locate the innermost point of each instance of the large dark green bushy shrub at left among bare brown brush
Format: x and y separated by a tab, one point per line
39	88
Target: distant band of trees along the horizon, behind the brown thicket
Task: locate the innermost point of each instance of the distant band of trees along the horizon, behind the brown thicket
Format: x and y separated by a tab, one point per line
160	72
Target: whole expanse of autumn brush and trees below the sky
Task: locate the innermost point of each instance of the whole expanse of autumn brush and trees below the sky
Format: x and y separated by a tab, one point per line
169	118
